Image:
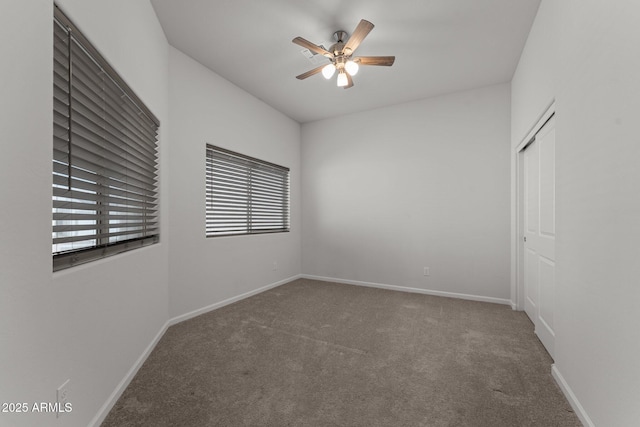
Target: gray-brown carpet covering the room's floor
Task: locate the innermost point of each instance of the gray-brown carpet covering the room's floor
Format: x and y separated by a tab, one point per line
312	353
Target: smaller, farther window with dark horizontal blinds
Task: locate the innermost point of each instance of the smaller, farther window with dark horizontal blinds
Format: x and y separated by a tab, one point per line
245	195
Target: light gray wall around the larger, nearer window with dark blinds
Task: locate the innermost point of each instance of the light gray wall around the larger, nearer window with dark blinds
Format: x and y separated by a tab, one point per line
91	323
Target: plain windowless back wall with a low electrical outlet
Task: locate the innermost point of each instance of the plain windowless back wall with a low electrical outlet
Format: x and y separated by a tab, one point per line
423	184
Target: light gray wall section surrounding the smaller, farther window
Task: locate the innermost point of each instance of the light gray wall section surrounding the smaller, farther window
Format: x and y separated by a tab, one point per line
205	108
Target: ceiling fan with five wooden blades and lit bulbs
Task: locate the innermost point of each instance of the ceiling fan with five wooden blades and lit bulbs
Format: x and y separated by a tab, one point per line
340	55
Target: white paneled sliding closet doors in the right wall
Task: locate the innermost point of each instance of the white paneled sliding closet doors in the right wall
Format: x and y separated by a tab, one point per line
539	233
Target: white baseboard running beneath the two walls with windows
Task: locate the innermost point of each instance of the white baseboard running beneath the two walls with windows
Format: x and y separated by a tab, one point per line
124	383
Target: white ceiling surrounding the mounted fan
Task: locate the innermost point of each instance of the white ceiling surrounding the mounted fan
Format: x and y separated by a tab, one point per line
441	46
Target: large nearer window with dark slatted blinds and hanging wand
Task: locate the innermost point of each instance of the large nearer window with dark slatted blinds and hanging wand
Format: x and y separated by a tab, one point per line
105	155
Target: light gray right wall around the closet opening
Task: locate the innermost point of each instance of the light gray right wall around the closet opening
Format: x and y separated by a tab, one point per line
583	54
